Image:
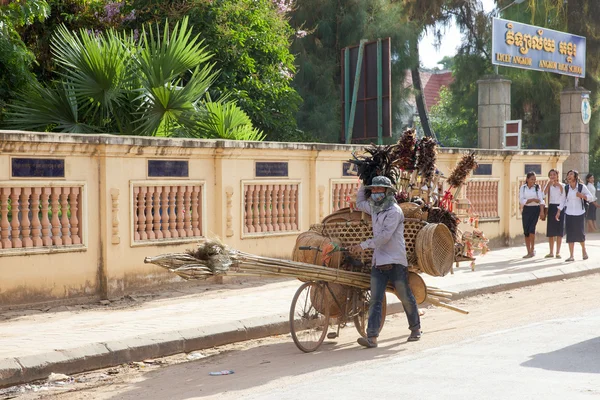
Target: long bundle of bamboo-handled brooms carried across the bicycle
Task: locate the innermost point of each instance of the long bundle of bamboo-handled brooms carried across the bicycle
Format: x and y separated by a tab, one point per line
213	258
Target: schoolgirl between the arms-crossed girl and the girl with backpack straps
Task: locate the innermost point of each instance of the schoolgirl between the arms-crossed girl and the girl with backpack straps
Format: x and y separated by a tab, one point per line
555	228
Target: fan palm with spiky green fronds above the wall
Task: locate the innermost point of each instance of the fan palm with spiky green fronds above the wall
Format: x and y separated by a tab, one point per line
111	82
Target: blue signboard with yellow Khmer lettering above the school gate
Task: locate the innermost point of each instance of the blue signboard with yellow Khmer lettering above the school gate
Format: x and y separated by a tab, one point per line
531	47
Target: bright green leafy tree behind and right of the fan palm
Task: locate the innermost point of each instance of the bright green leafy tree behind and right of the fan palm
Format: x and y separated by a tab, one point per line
250	41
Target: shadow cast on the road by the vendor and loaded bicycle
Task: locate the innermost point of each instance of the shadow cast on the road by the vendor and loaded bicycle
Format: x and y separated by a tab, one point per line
253	367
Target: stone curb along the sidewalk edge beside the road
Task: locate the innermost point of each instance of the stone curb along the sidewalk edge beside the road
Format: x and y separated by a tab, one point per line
19	370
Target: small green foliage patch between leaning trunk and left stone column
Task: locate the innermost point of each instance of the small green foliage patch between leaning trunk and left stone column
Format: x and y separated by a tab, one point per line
454	124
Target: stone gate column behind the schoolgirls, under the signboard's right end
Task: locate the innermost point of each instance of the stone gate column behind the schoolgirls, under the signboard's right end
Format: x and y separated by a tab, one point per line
574	134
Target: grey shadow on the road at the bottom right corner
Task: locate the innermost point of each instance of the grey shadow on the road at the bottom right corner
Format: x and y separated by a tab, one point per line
581	357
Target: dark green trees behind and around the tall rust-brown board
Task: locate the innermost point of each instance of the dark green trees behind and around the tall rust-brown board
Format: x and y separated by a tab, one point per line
329	27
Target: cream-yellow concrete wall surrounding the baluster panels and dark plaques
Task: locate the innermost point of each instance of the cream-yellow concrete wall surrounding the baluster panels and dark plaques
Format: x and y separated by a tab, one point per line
109	262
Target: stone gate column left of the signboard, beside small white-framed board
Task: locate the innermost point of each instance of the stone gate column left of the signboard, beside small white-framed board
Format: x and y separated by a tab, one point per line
493	111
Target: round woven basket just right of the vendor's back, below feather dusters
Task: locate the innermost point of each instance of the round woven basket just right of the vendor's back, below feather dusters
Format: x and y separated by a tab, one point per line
435	249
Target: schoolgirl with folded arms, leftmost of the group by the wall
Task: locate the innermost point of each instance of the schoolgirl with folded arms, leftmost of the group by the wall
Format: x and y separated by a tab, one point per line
531	199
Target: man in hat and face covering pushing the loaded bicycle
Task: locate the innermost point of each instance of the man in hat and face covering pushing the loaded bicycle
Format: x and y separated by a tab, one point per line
389	263
